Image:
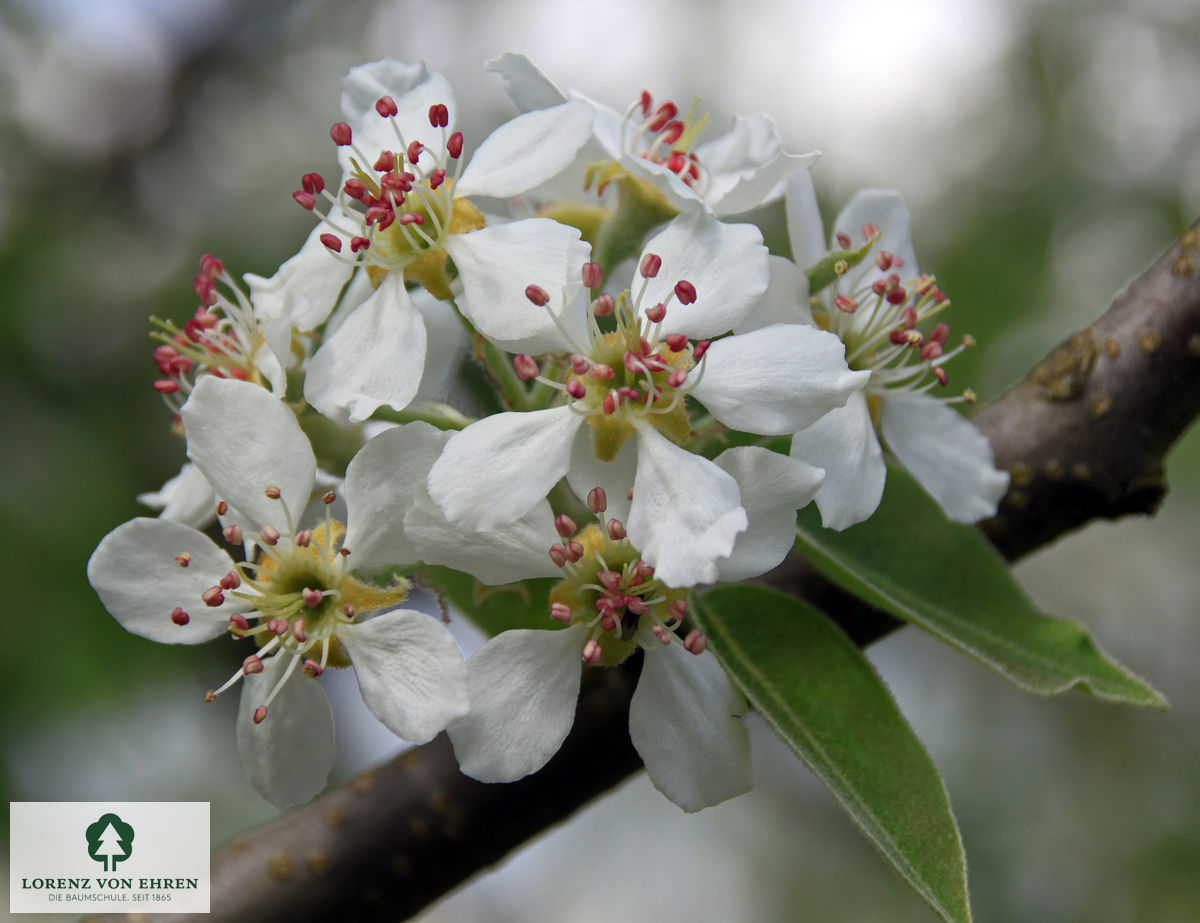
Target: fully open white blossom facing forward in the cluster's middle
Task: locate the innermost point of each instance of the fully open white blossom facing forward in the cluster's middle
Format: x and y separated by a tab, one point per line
623	421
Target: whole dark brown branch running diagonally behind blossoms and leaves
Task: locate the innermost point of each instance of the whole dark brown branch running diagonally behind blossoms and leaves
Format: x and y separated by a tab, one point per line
1084	437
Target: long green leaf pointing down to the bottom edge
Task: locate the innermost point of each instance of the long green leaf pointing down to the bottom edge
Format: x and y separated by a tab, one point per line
821	696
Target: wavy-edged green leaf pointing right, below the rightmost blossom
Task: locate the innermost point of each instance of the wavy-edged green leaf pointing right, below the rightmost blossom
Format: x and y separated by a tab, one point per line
947	579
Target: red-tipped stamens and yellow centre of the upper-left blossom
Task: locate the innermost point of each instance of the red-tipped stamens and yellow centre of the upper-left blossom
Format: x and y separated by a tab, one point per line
397	205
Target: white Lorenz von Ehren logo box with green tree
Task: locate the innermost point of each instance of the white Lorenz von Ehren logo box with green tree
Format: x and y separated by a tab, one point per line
58	866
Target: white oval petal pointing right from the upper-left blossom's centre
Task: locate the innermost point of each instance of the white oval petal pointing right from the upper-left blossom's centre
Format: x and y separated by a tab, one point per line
527	151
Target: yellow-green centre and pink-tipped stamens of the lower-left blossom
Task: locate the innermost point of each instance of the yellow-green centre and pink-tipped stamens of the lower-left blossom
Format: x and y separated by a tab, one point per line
296	594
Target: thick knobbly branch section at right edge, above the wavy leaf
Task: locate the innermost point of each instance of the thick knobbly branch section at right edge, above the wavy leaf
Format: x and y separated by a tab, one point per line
1085	434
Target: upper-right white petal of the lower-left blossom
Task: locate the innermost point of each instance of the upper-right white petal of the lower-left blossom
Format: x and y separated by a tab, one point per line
382	484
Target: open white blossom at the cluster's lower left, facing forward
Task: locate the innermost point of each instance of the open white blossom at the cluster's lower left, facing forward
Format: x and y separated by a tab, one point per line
293	595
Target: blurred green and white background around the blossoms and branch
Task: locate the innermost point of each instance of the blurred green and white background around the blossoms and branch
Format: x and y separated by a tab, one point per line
1048	152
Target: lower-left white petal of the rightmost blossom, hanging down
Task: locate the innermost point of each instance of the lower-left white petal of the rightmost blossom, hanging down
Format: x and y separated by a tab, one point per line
844	443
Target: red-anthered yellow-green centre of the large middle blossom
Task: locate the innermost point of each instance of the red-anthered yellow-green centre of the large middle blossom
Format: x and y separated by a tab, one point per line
629	371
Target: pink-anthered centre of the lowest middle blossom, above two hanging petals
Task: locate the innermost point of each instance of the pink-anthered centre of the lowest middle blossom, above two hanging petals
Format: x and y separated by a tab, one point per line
613	594
